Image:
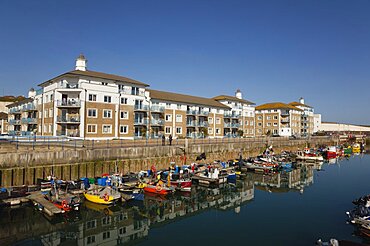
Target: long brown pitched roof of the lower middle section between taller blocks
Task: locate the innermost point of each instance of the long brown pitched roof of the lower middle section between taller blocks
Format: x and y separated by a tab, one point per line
175	97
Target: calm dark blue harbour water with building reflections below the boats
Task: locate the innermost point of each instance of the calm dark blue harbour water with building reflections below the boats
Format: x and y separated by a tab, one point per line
290	208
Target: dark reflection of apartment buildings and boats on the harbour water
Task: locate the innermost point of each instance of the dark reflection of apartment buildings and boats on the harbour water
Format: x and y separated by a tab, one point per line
130	223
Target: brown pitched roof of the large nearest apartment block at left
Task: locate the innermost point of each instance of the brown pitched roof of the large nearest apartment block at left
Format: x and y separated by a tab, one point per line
96	75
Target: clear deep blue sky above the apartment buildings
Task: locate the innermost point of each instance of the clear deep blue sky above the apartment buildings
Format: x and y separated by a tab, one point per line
271	50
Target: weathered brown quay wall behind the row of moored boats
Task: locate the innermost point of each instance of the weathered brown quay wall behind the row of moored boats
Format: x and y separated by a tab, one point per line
18	169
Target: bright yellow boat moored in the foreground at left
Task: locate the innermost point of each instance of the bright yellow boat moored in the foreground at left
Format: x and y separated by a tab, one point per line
102	196
